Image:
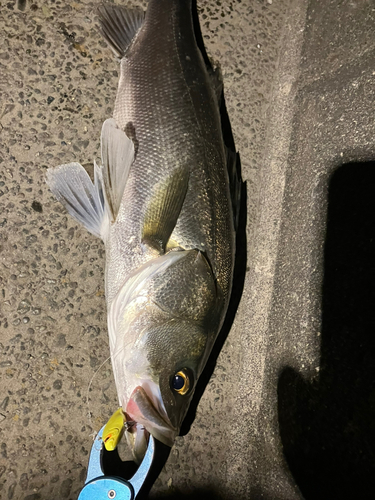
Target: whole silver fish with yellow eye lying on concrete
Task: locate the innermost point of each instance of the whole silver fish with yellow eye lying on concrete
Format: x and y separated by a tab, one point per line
165	202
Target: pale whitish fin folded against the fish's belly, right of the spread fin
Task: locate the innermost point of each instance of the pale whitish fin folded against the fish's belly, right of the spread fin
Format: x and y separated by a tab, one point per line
117	158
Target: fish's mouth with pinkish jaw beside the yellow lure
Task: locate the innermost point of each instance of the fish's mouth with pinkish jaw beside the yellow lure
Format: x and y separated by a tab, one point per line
142	410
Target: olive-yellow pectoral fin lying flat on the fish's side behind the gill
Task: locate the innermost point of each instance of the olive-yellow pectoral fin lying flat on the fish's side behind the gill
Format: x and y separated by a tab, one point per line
164	209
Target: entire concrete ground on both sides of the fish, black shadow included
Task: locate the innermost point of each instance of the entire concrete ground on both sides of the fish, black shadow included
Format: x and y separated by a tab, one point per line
299	87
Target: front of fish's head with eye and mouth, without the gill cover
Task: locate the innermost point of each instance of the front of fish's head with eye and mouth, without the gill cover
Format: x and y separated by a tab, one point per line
164	370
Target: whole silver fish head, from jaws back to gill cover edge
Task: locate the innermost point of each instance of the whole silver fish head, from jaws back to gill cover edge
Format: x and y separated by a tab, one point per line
167	326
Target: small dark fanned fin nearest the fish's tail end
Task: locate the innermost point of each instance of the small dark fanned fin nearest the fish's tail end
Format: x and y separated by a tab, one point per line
119	25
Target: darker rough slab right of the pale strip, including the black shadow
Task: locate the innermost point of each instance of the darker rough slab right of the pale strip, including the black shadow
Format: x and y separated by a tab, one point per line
325	420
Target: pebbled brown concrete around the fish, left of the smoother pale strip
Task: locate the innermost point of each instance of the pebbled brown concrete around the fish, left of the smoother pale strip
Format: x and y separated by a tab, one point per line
58	83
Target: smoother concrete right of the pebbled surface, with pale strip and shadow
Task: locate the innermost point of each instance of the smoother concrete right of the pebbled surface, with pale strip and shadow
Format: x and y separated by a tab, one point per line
321	118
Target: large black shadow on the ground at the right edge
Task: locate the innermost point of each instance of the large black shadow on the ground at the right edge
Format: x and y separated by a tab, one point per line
327	426
